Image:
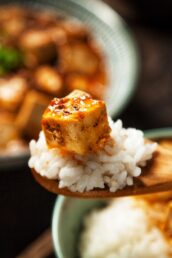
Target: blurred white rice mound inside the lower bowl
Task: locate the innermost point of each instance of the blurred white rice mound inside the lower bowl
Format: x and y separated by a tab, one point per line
121	230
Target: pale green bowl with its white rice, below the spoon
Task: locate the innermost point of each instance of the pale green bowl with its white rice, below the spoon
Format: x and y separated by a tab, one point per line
128	227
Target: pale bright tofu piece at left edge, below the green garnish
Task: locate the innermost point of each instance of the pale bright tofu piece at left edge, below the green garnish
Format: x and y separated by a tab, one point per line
12	92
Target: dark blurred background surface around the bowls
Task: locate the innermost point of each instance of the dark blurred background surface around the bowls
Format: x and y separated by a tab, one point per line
26	208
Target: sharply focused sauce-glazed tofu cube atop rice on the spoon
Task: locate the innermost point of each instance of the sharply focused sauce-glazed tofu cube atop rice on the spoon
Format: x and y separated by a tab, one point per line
76	123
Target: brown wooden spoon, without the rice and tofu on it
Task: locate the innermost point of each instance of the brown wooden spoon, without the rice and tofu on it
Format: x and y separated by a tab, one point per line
155	177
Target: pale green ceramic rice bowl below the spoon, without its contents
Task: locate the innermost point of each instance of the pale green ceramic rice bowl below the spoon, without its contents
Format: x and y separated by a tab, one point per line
69	212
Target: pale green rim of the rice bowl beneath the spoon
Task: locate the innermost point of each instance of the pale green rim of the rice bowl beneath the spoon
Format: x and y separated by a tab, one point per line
60	200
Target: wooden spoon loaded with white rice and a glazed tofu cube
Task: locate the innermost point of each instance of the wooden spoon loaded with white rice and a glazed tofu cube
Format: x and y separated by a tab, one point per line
83	153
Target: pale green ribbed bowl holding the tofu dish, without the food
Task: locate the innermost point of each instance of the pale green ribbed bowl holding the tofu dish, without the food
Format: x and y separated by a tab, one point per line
117	44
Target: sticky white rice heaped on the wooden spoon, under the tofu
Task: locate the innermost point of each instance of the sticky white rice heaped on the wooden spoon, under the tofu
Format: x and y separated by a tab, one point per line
114	166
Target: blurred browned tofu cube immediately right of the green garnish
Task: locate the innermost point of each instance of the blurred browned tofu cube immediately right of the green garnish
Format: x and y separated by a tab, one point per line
38	47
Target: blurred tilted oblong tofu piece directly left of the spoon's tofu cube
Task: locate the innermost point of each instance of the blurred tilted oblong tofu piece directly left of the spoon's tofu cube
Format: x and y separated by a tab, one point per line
28	120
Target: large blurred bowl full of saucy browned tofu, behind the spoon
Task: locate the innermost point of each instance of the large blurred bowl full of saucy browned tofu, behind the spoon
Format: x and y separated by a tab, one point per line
48	49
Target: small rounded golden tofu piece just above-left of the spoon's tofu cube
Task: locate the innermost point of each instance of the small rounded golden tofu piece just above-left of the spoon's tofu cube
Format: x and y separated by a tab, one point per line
49	80
